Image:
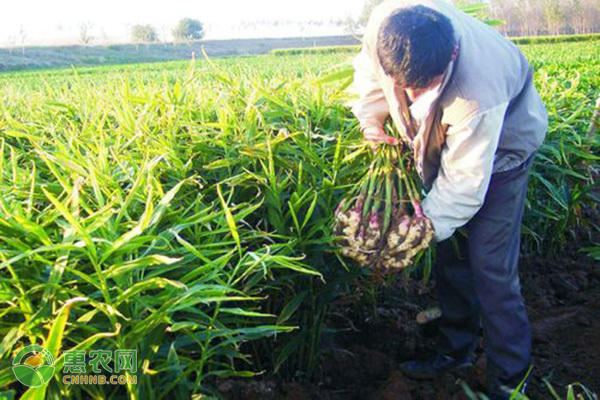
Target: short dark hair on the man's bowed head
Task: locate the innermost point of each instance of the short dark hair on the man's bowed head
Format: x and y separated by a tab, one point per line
415	45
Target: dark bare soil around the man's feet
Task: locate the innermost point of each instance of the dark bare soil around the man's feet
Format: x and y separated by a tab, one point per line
563	299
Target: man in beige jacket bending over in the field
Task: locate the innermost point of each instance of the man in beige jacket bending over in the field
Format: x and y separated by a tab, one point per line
462	98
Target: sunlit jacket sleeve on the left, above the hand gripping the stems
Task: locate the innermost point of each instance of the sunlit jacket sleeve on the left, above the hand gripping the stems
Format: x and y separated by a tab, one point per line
371	108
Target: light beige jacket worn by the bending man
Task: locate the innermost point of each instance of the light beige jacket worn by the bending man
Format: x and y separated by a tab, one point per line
488	118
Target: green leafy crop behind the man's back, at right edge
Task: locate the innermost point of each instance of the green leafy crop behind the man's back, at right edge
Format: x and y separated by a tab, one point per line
562	184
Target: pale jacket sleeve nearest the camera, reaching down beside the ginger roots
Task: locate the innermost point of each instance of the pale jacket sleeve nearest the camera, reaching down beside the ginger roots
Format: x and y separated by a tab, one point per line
467	160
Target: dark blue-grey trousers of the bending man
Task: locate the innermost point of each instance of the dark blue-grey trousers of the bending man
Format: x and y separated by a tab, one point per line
478	282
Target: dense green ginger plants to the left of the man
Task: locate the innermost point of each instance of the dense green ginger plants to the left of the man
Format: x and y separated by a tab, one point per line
172	213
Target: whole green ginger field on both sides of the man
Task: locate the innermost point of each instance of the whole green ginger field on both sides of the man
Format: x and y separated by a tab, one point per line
185	210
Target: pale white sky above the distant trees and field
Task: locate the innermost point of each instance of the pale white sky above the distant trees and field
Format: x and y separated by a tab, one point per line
59	21
